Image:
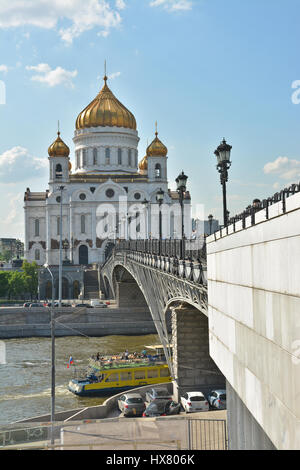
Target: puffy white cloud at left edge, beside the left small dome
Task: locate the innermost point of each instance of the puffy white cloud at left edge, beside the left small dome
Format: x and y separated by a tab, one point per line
17	164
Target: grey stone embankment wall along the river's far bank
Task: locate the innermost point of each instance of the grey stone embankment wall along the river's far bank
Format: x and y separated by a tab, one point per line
25	322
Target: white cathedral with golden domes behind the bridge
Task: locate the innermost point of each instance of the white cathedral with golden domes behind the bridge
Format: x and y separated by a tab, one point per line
108	195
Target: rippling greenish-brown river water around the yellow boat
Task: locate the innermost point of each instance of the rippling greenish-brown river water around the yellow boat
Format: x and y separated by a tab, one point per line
25	379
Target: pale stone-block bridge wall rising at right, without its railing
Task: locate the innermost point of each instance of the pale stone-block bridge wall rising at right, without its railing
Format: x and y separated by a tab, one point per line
254	323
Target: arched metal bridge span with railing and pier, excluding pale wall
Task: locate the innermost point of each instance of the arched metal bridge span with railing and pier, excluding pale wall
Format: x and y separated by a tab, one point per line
169	276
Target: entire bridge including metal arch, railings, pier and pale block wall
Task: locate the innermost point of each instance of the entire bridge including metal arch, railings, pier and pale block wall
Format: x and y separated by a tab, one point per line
234	314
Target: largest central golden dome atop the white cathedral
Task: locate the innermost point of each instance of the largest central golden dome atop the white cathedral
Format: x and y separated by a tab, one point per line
105	111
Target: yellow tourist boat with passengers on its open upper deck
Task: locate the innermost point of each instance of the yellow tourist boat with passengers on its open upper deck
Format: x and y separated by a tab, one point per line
111	375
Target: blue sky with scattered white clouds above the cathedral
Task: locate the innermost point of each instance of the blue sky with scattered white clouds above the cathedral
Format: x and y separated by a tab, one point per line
203	69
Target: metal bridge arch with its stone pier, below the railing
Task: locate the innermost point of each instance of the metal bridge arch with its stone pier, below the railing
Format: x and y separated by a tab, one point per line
170	300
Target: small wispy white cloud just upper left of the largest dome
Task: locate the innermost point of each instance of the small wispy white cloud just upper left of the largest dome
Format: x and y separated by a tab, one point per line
52	77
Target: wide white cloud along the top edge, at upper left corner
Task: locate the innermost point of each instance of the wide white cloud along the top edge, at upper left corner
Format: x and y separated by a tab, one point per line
47	14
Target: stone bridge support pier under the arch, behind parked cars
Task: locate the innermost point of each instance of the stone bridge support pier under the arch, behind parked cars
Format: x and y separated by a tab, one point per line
194	369
